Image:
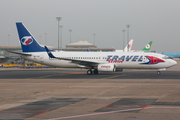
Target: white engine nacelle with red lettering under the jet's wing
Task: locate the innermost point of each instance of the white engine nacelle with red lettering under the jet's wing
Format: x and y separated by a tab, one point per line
106	67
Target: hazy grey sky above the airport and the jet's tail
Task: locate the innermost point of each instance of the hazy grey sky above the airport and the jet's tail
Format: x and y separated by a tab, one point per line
156	20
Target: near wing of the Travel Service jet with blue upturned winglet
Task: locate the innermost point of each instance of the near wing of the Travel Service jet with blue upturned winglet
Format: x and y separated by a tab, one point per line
79	62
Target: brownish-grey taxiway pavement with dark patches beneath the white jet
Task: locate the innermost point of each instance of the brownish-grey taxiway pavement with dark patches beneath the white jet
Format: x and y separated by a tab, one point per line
53	93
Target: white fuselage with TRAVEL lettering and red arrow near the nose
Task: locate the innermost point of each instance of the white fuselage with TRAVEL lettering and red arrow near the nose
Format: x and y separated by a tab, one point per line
121	60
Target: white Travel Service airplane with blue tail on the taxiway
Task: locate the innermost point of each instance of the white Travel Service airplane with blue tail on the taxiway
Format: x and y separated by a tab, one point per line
95	62
